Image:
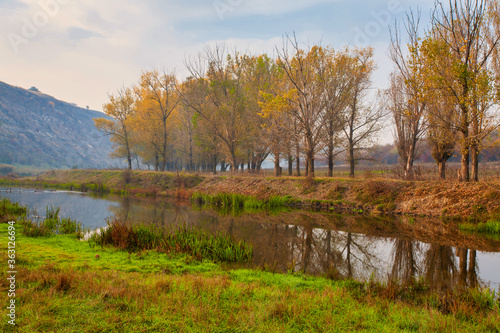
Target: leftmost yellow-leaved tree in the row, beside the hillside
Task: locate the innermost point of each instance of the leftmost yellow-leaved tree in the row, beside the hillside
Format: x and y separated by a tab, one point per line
121	107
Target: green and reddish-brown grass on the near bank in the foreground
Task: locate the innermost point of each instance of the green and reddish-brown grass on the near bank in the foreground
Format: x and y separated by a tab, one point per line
65	285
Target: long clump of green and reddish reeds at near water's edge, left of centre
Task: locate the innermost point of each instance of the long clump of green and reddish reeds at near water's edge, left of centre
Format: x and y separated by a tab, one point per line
194	241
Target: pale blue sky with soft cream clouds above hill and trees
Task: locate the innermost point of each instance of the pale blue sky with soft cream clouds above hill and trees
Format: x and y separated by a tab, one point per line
80	51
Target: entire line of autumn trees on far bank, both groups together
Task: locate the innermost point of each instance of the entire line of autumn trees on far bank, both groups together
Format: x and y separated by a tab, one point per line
236	110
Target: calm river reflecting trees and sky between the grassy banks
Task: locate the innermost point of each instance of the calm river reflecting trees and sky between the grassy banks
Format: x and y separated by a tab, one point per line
342	246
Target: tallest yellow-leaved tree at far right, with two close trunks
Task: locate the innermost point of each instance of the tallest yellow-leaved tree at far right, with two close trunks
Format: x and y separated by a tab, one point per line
463	35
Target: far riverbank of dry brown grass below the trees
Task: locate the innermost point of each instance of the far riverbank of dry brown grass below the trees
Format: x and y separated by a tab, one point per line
470	201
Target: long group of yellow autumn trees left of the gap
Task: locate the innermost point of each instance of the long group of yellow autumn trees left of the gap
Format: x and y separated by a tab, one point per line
236	110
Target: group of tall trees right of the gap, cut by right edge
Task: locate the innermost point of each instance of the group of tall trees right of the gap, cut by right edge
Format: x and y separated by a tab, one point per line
445	85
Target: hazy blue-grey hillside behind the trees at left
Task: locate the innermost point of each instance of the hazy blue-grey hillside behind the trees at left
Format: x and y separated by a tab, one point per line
39	130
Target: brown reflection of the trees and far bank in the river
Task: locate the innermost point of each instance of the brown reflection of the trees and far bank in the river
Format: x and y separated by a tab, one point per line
311	243
